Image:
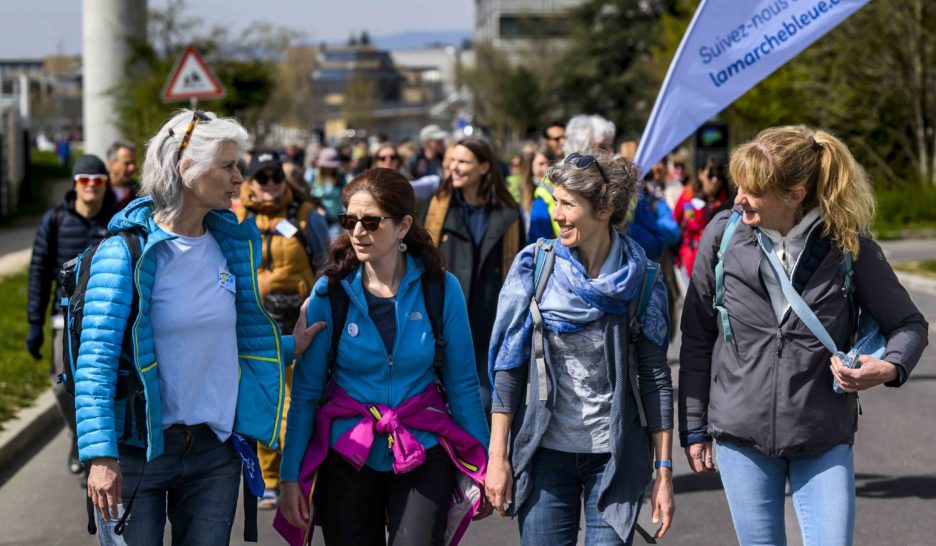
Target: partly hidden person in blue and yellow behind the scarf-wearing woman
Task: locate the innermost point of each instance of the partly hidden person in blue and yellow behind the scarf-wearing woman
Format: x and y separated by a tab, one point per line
536	198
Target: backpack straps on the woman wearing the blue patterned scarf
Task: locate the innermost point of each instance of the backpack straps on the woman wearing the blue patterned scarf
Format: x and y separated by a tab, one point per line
543	260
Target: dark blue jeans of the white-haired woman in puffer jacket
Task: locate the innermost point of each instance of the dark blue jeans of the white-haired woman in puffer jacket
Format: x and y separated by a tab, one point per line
195	482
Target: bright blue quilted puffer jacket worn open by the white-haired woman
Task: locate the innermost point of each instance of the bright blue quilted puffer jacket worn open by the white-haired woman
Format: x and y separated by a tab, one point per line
261	350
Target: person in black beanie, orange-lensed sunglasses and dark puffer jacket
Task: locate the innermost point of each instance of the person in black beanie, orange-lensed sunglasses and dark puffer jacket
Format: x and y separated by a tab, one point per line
77	223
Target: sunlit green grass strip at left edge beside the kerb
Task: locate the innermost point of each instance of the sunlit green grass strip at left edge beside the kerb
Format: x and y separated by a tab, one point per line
22	378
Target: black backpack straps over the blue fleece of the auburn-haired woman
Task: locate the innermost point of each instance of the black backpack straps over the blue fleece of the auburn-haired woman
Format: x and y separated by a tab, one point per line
434	297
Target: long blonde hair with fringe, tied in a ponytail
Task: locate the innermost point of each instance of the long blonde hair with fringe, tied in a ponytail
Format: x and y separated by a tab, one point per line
785	159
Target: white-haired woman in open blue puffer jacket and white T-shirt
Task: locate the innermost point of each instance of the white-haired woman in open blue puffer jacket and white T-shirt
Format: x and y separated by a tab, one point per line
179	361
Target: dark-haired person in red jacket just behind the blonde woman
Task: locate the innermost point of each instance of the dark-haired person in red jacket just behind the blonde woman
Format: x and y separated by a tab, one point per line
704	196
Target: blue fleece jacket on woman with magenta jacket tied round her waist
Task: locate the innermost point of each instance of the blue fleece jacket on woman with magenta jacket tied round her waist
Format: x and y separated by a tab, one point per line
371	376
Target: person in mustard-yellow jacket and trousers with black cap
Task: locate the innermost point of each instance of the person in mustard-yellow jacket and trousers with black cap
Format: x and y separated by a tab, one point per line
293	234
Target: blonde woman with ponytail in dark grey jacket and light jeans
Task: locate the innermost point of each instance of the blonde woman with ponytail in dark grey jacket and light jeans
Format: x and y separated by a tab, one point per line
753	377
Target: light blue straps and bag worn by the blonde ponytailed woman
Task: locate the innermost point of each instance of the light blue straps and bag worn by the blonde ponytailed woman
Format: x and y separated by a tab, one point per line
869	339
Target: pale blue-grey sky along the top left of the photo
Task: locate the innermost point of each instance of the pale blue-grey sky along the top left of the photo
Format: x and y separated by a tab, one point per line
35	28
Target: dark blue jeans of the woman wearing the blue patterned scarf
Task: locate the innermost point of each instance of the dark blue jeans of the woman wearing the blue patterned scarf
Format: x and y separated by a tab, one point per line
561	481
